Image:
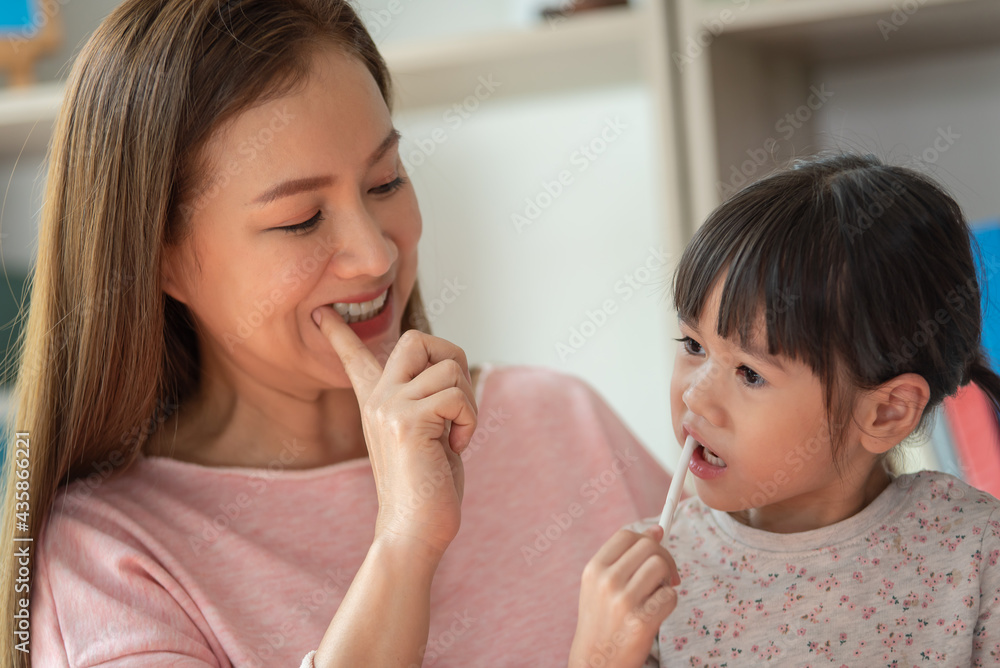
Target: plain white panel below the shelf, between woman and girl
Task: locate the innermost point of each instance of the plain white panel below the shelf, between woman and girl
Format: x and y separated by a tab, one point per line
528	285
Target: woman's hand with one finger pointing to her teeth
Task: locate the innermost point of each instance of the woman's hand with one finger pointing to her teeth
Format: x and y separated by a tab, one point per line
418	414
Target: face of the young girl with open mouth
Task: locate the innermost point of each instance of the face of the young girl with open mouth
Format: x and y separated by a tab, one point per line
761	423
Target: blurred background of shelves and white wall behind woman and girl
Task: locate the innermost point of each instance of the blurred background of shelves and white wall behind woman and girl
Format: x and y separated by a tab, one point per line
564	153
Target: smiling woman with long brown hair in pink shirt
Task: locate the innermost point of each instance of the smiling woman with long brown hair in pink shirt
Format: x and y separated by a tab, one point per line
222	471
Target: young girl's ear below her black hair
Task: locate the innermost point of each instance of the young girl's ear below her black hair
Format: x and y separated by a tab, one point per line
892	411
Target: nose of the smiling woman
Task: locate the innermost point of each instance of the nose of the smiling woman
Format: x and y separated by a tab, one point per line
363	247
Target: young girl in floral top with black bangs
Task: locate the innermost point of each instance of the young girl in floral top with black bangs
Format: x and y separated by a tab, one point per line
825	311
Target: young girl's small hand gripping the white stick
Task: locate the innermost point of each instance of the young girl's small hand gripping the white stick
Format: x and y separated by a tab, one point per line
624	598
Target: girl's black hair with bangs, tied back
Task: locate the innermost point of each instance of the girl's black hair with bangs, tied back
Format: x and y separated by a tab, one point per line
862	270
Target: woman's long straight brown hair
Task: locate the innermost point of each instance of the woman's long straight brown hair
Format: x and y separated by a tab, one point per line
105	355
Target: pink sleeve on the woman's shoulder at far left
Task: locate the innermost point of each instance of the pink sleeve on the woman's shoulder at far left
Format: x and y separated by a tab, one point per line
99	599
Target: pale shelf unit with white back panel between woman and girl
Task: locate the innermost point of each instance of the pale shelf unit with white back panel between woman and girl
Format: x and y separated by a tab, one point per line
585	67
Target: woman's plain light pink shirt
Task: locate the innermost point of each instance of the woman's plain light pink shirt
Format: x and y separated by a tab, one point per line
177	564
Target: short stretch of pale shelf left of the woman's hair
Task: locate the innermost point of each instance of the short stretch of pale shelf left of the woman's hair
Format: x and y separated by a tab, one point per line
27	116
